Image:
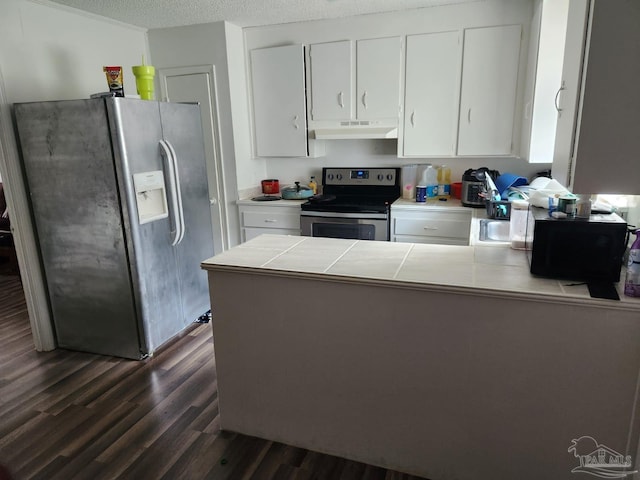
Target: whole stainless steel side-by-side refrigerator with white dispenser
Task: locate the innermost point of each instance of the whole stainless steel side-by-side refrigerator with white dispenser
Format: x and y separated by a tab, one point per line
120	203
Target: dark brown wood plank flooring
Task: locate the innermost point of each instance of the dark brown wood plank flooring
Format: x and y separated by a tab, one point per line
72	415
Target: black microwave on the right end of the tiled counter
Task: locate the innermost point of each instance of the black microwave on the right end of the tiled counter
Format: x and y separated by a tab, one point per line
586	249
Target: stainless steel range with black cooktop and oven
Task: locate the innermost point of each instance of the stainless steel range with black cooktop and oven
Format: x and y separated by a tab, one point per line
355	203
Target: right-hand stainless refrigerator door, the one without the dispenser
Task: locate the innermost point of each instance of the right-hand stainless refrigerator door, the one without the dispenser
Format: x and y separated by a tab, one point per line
182	130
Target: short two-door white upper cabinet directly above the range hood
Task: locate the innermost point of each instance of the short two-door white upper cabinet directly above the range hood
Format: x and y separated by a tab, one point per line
363	84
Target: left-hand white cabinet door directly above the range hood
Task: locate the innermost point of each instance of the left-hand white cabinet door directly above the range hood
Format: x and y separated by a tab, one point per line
331	81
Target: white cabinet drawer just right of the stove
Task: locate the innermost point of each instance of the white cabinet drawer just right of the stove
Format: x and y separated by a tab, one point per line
433	224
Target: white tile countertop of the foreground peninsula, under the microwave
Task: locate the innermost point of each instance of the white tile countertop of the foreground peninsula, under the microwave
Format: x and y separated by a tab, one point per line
498	271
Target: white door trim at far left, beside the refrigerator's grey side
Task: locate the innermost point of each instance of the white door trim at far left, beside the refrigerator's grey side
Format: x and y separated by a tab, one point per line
33	282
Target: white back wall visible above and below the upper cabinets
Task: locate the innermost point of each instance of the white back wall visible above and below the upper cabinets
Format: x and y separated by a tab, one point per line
384	152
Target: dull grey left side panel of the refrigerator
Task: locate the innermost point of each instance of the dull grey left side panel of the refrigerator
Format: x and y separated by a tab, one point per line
68	162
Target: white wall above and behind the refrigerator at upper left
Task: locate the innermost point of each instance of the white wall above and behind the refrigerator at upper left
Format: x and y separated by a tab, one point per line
49	52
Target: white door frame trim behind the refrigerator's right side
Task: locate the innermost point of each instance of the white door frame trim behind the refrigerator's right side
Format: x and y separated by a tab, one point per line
215	164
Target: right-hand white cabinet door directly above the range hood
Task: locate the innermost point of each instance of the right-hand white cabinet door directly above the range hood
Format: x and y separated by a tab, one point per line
378	78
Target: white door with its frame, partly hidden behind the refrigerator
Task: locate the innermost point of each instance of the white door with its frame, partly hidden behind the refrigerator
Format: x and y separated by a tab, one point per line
197	84
